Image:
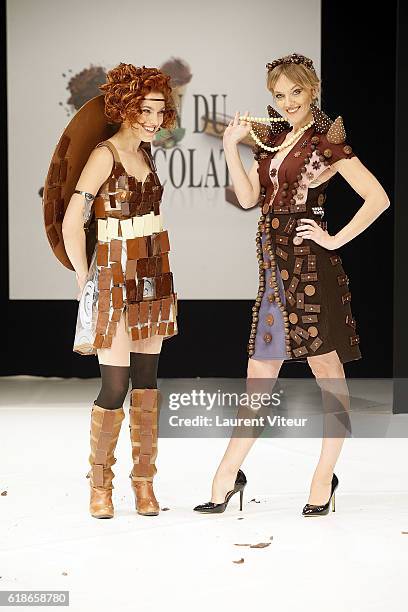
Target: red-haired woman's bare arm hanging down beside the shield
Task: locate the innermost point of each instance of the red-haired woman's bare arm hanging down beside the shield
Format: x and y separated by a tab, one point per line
95	172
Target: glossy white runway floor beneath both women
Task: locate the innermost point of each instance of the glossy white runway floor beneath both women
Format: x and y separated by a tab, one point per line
353	560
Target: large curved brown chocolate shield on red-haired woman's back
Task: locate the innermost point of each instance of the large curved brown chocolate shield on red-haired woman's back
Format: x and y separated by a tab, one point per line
88	127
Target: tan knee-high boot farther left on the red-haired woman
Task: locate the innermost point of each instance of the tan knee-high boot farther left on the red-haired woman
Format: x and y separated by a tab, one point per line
105	428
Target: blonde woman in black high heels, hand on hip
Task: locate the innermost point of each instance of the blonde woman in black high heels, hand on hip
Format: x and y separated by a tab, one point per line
302	311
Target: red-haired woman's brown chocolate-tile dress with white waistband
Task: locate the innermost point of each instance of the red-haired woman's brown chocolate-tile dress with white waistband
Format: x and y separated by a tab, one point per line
129	270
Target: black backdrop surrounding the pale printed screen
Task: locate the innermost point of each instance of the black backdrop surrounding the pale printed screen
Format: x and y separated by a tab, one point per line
359	51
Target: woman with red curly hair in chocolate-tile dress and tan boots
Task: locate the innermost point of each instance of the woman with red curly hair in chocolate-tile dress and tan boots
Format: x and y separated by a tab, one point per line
134	304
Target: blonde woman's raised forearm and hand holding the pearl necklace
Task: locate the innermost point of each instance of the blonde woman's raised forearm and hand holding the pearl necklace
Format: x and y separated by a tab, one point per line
246	185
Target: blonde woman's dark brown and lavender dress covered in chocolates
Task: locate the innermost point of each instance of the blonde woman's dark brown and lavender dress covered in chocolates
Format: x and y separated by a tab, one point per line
303	303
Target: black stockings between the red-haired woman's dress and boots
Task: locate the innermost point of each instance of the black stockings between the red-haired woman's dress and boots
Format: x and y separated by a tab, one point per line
115	379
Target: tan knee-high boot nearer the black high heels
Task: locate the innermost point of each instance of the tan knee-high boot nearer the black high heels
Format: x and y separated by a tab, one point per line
143	414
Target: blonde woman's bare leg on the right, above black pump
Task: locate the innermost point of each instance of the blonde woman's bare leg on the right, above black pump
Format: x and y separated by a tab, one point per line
330	376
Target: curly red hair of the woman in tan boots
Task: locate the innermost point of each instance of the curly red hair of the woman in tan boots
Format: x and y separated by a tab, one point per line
127	85
